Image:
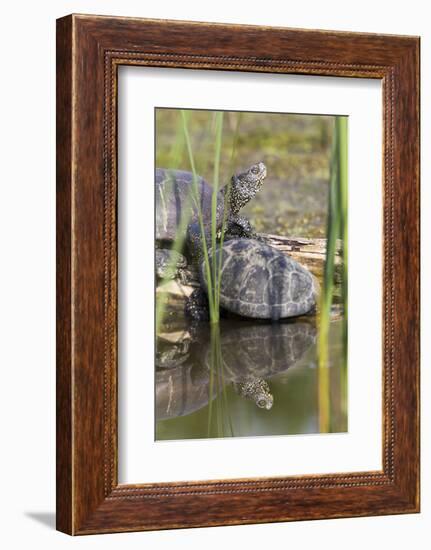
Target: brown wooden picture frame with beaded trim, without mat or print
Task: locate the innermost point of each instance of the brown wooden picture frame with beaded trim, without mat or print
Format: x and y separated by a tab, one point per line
89	51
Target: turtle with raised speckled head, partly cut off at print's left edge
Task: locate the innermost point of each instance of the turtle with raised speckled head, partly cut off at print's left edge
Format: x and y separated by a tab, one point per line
177	211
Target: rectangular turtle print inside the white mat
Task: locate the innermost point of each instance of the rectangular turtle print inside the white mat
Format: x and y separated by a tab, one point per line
250	274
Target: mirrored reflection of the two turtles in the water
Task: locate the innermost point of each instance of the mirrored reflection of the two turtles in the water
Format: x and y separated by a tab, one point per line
250	354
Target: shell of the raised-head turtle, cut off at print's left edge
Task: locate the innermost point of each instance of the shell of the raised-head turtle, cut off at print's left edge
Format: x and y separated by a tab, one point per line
175	197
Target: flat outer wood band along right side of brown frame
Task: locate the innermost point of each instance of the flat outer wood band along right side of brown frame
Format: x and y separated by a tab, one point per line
407	274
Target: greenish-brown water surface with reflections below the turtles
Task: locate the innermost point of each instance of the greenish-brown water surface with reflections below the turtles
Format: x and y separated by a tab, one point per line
201	384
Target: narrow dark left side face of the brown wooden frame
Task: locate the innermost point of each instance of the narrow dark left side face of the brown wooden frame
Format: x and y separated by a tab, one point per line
64	367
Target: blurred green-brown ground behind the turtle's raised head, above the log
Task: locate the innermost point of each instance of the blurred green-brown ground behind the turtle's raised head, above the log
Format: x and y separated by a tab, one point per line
295	148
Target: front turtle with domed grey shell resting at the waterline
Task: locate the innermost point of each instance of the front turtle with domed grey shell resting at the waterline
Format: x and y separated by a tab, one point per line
257	281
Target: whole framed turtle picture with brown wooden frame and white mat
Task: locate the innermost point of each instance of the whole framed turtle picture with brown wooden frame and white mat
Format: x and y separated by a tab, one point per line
237	274
